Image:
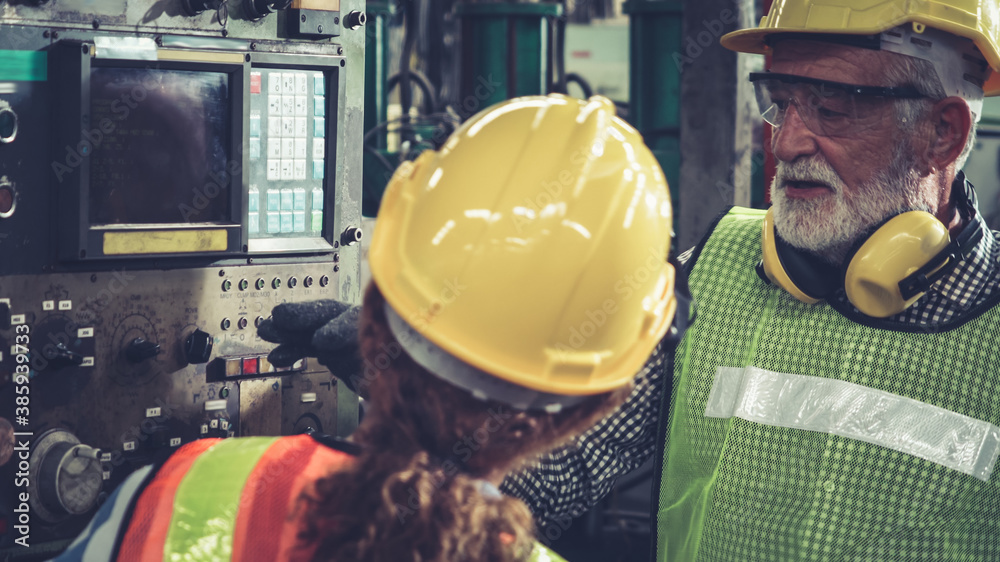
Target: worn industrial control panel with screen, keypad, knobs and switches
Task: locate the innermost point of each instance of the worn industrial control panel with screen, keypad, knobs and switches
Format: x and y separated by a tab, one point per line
170	170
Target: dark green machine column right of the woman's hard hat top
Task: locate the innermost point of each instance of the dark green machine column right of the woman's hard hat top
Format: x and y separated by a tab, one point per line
655	28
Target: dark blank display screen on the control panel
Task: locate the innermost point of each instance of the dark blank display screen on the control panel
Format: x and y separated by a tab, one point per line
160	141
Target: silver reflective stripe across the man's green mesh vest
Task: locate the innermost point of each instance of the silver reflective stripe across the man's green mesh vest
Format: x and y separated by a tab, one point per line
857	412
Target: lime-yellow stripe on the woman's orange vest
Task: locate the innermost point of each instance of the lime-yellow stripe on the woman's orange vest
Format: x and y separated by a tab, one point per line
208	498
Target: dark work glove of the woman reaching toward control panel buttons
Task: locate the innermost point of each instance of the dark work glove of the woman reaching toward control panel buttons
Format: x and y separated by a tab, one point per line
324	329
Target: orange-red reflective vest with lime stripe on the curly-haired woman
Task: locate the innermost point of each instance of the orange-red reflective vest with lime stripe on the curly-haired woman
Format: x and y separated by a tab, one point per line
215	499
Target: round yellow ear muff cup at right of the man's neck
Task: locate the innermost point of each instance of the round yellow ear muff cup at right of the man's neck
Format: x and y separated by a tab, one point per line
906	244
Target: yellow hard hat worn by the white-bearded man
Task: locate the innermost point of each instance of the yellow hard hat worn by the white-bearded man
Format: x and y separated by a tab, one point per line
978	20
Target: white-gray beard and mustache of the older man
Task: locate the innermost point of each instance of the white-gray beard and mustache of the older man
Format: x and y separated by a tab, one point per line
829	226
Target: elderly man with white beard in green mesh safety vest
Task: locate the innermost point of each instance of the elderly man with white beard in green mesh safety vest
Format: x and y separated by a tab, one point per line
838	397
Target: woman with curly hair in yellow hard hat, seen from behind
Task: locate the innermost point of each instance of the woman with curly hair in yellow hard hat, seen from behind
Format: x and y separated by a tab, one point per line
519	281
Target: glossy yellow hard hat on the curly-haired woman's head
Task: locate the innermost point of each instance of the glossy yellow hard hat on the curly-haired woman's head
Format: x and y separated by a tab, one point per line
531	247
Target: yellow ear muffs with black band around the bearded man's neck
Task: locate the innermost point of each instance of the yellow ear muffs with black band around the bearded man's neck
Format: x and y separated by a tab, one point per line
889	271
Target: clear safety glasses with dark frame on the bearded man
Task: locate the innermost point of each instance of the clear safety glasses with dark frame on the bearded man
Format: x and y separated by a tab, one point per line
831	109
